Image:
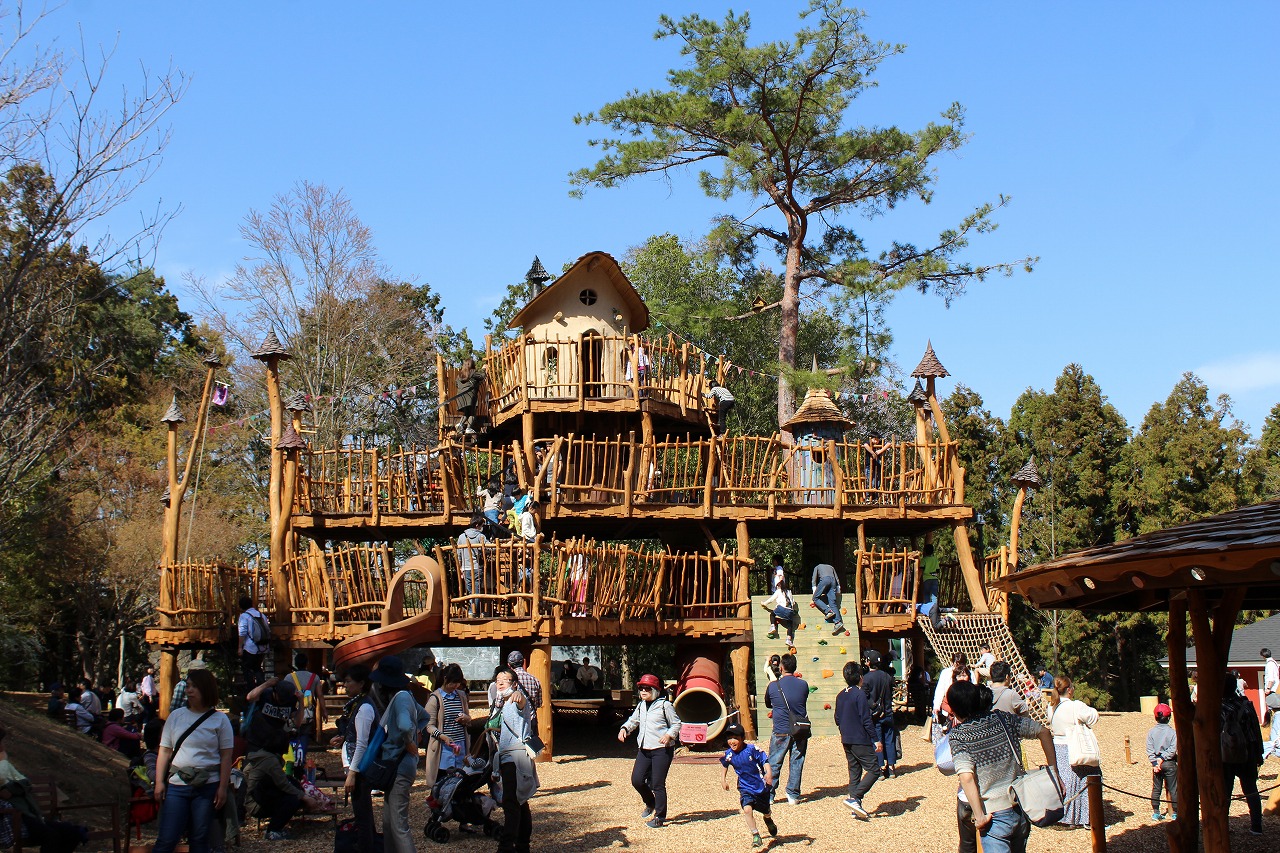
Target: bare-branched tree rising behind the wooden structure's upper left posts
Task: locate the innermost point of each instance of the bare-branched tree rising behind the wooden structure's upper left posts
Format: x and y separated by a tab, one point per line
316	279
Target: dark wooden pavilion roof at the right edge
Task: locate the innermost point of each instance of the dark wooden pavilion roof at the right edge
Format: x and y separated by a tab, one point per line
1237	549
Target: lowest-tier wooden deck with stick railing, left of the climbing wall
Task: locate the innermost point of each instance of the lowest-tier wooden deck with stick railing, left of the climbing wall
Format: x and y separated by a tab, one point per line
577	590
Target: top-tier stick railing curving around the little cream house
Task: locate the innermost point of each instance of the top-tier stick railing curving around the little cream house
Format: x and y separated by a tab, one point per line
579	370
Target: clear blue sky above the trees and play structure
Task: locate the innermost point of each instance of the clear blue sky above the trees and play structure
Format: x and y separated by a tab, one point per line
1135	139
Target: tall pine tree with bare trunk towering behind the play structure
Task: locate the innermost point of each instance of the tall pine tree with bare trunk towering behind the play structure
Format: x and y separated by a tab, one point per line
776	121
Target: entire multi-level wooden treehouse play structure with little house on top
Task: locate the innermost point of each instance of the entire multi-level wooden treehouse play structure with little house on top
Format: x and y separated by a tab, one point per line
610	431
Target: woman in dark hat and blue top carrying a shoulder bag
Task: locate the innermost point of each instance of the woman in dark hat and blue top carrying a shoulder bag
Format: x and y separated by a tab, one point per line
392	708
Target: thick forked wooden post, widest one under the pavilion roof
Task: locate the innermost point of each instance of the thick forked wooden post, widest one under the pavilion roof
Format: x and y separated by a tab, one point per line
1212	646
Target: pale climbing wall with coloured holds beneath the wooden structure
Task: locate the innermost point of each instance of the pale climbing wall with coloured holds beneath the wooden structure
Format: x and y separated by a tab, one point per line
820	662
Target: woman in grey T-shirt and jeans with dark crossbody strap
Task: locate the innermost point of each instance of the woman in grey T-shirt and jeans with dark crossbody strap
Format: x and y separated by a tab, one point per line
194	769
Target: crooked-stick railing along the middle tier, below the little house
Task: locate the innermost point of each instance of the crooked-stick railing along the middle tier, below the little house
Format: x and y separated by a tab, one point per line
735	472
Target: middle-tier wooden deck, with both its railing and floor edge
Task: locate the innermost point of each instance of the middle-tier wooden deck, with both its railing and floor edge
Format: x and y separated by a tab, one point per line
351	492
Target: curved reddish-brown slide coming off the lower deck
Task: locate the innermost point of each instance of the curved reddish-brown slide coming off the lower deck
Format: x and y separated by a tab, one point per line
397	633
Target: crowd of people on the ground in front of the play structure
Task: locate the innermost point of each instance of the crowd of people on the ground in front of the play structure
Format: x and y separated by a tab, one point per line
392	723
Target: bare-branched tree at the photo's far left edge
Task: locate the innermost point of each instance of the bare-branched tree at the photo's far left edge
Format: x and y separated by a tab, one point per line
72	152
